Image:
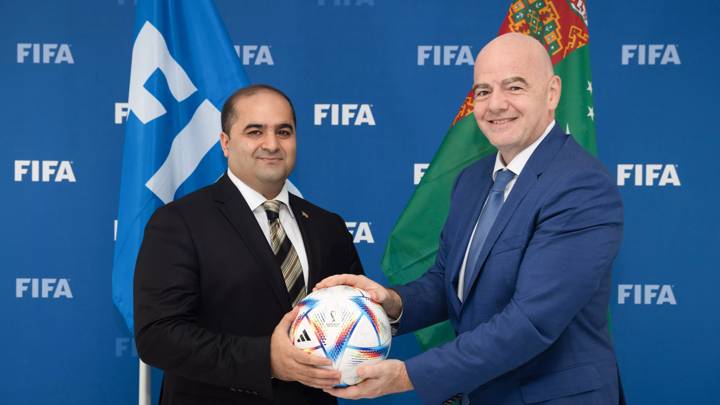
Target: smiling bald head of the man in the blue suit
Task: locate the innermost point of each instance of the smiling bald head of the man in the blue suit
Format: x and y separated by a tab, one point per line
515	92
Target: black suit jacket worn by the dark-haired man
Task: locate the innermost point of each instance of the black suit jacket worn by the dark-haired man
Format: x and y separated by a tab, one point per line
208	295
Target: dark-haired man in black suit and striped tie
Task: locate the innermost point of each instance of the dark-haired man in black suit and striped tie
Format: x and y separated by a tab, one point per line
220	269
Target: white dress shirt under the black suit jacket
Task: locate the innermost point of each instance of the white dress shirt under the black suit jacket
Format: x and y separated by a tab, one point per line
287	218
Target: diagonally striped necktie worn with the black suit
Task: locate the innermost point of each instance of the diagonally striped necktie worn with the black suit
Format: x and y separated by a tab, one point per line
285	253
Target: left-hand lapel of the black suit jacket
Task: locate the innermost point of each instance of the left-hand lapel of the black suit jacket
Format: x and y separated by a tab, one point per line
232	204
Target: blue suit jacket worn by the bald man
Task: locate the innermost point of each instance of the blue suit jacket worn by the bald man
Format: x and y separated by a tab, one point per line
533	326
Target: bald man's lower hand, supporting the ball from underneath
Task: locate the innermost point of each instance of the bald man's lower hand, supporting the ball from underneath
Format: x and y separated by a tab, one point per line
386	377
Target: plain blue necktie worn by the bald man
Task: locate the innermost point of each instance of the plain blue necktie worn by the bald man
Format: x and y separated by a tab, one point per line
485	221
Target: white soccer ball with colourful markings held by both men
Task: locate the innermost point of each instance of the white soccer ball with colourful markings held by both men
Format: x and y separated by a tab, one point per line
344	325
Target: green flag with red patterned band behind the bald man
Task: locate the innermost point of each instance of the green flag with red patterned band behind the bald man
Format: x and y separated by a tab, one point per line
562	26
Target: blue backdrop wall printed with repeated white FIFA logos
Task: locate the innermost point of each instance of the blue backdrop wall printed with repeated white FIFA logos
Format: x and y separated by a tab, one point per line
376	85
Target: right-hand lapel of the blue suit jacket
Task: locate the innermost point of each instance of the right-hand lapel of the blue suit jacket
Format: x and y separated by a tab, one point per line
537	163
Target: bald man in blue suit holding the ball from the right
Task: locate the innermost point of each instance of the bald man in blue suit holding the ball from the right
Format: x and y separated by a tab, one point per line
524	260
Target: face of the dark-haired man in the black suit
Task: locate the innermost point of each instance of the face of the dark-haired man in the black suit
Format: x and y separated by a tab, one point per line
260	147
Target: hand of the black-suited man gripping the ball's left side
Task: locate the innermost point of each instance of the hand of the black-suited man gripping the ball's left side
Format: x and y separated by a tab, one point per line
289	363
